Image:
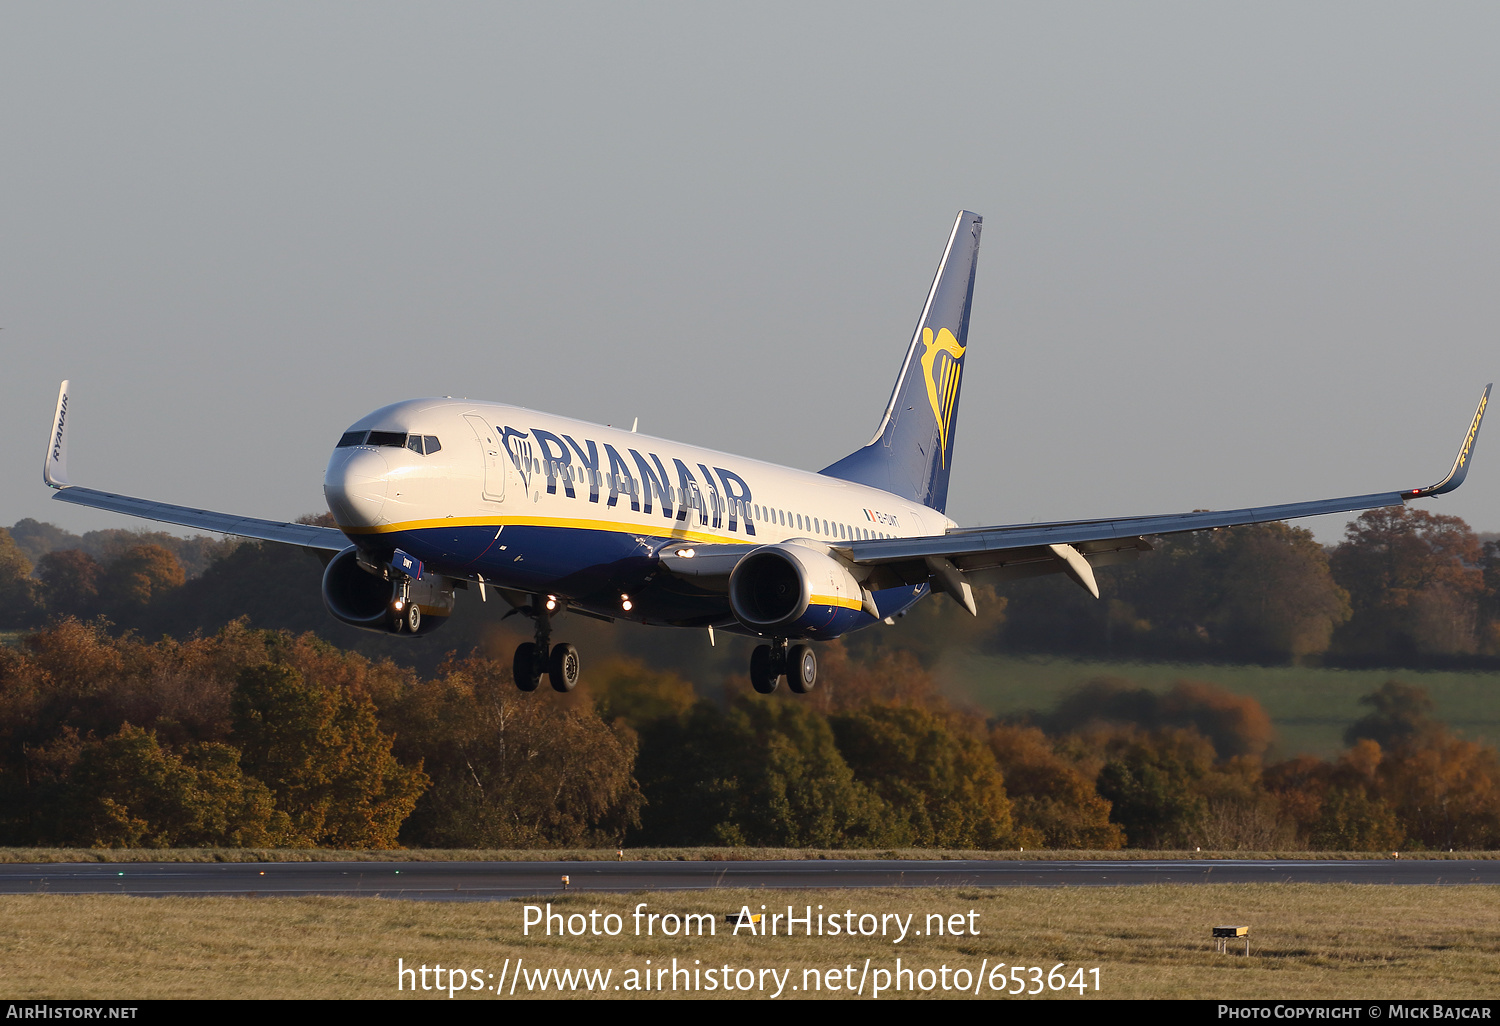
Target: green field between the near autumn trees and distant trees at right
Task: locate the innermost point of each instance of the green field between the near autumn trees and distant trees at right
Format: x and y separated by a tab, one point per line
1310	707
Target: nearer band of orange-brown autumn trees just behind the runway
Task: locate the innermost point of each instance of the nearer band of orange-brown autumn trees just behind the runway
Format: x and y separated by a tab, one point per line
269	739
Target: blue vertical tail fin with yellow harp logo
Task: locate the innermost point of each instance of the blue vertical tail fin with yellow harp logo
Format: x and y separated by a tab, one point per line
913	449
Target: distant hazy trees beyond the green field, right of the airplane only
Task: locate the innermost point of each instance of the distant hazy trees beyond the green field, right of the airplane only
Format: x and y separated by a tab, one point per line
1403	589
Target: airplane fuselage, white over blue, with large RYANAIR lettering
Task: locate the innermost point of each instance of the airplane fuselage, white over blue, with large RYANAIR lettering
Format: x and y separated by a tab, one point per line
533	502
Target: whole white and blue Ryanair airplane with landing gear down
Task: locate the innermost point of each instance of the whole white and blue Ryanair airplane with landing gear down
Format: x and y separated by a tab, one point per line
556	515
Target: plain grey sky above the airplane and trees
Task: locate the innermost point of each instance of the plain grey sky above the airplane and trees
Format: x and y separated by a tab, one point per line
1232	254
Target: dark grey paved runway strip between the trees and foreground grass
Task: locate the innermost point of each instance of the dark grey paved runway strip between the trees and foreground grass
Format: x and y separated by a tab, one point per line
500	881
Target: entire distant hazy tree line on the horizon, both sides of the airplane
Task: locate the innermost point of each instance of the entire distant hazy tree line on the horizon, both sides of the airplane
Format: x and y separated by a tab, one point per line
1403	589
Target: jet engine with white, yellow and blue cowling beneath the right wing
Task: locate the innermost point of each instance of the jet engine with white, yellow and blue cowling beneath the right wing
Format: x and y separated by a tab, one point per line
794	592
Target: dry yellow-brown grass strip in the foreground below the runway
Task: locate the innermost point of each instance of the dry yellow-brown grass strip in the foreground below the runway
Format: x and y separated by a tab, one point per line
1307	941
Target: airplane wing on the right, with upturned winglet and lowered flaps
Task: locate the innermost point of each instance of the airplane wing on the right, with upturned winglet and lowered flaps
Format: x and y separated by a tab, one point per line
1076	547
